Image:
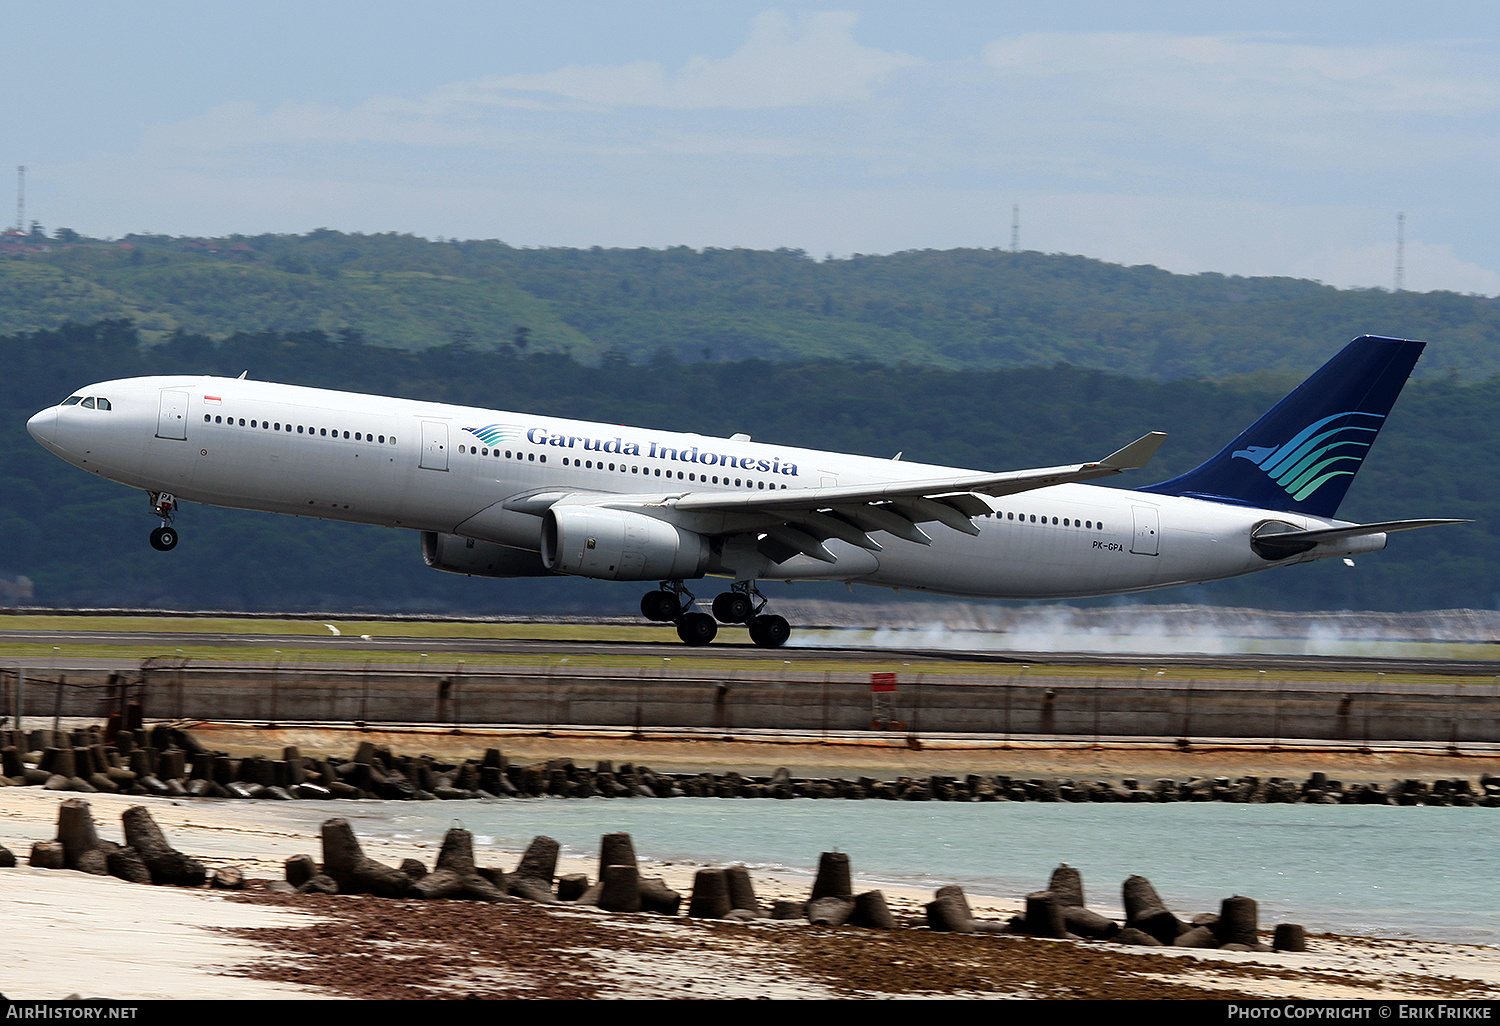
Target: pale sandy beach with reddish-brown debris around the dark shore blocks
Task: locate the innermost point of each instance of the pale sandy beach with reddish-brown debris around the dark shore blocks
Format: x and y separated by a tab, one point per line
104	938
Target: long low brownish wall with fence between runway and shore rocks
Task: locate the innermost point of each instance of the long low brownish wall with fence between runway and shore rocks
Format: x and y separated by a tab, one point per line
1454	712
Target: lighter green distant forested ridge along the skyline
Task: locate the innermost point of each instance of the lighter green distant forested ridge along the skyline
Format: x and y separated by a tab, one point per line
970	308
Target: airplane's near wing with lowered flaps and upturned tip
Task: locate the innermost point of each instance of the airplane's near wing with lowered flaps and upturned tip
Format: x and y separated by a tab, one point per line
793	523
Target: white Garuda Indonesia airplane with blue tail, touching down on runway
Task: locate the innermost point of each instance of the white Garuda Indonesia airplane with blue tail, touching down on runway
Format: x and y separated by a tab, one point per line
514	496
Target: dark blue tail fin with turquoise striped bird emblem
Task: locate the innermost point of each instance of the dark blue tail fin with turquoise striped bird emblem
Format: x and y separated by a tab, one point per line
1303	455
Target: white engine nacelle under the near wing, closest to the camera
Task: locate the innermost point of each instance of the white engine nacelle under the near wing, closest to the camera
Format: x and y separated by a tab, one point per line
619	545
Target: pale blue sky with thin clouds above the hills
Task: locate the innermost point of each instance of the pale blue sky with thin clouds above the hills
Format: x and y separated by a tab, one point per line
1252	139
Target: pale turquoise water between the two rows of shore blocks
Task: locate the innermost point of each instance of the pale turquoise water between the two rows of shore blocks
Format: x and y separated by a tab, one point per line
1375	871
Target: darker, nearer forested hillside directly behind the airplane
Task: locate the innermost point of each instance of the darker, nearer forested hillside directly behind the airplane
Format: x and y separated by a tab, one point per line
82	541
